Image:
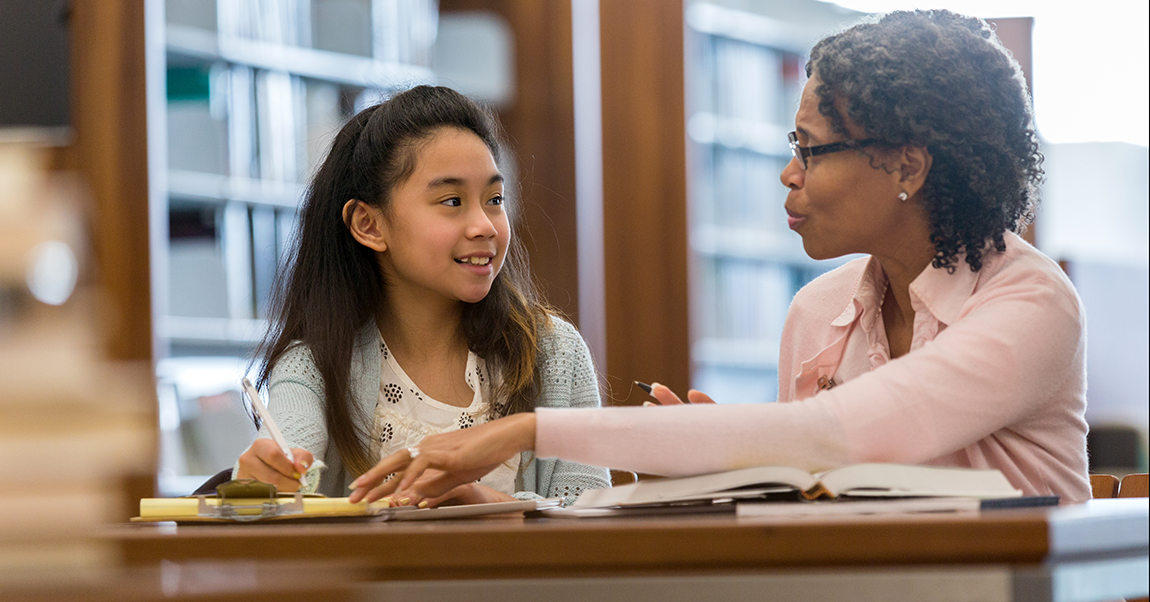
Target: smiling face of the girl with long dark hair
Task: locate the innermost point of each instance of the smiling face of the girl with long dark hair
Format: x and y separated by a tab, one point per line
447	231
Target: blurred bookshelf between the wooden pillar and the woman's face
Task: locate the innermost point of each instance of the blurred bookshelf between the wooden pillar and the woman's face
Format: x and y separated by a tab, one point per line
745	74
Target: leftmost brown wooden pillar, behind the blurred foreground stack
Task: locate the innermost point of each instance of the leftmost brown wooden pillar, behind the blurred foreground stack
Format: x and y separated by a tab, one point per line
111	154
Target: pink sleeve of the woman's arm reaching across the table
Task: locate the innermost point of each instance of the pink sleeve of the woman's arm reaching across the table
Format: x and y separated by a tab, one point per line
1001	362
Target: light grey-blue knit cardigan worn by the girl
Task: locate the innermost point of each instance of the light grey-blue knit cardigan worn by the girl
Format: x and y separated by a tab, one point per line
568	380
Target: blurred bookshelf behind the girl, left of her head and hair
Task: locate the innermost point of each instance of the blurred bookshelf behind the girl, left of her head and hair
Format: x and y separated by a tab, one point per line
252	93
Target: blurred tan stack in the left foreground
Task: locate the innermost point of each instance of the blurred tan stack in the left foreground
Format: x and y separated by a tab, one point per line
73	424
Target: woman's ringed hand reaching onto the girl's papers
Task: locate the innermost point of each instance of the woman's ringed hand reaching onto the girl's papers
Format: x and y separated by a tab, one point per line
463	458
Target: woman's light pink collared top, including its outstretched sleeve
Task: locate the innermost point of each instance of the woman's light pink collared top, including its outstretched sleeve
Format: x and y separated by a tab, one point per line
995	378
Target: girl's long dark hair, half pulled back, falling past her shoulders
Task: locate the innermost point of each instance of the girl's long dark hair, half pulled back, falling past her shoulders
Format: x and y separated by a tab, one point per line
333	286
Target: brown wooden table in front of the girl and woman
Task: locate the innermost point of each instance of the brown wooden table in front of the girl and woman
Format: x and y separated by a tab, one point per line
1092	552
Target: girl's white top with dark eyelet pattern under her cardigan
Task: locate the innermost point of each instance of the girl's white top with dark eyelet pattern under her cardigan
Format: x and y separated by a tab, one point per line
405	415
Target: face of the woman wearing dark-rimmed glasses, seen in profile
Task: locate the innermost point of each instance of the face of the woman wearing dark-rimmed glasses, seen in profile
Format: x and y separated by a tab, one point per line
841	204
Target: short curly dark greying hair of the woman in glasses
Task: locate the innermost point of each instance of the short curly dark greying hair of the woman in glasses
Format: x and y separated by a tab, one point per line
936	80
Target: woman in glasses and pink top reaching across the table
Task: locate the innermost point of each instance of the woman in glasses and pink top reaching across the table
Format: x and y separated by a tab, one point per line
954	344
